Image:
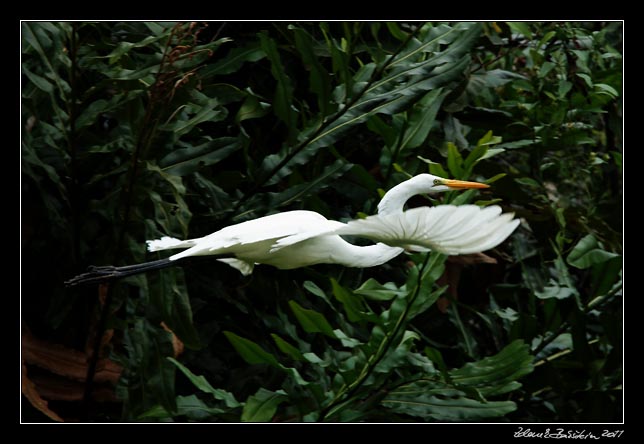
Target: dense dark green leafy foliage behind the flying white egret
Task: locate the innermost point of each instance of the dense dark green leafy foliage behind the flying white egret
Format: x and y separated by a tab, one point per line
133	131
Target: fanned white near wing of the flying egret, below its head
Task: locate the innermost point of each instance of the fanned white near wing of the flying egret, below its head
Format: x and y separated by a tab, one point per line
448	229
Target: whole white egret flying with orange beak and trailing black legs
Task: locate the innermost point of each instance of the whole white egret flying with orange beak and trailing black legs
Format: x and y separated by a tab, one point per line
301	238
